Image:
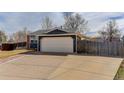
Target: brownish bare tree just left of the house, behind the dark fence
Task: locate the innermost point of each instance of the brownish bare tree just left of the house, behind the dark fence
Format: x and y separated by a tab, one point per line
20	36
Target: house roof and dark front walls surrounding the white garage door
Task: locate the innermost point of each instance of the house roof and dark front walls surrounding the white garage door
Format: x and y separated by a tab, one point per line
53	33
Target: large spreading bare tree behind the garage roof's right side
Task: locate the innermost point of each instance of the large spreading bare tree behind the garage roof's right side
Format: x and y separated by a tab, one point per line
75	23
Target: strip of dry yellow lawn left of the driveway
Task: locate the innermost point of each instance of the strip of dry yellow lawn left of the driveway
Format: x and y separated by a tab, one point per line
5	54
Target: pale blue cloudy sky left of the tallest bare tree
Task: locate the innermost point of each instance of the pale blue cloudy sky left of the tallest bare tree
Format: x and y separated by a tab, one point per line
16	21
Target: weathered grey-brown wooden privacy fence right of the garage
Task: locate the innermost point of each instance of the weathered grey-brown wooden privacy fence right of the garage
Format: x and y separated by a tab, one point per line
101	48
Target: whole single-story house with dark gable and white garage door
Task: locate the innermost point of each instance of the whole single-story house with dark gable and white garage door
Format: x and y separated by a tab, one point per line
53	40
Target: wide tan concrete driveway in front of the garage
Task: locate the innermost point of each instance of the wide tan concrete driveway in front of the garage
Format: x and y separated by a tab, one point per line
68	67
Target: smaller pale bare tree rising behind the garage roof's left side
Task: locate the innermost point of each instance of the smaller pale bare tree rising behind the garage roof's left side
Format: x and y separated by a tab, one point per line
47	23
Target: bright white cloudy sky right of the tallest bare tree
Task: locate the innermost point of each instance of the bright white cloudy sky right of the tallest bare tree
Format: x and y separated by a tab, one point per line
98	19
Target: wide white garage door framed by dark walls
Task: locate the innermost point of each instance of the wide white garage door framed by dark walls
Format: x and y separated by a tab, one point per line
56	44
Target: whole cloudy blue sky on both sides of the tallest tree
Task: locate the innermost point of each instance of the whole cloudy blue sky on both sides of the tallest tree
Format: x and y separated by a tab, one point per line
11	22
